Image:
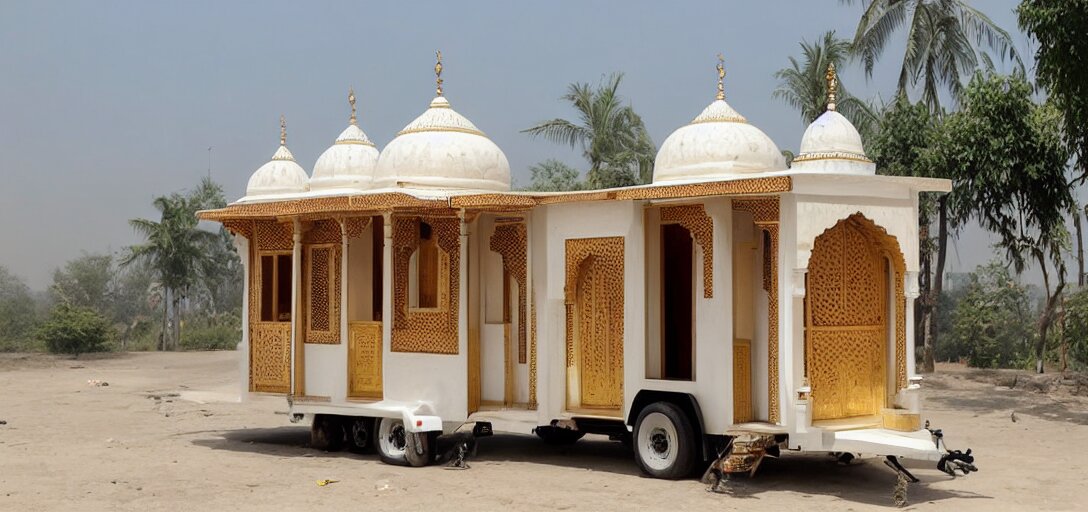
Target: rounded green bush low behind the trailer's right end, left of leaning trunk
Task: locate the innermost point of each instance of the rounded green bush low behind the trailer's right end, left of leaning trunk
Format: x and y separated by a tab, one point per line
993	323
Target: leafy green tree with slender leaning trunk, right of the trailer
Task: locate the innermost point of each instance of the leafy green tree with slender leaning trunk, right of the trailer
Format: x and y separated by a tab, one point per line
1008	157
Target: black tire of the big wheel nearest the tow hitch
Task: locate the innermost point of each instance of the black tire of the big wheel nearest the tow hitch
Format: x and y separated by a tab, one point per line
685	446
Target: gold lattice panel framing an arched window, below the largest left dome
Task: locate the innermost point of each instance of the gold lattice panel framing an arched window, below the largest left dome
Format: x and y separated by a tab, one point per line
432	331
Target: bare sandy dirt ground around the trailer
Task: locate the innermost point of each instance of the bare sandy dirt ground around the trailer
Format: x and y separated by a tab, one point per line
168	433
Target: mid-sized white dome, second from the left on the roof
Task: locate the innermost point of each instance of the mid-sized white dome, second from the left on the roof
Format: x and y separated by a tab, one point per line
349	164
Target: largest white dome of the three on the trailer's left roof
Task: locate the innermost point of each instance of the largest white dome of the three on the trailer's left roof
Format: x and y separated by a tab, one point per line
442	149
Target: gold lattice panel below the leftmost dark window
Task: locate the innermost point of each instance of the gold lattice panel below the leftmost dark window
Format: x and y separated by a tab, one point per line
270	357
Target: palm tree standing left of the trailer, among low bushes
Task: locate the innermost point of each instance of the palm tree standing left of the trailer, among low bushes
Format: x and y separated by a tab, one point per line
176	249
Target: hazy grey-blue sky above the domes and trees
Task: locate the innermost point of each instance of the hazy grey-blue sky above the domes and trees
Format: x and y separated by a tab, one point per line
105	106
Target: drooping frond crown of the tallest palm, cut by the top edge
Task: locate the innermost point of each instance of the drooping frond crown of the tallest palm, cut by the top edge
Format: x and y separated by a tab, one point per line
942	40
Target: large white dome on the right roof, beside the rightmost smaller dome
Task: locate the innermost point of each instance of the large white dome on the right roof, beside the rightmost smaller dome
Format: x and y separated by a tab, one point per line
719	144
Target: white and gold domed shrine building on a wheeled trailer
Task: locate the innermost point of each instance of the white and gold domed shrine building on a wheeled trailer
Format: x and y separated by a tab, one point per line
730	310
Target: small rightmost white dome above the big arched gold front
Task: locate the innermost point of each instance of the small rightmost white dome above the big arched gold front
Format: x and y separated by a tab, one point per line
833	145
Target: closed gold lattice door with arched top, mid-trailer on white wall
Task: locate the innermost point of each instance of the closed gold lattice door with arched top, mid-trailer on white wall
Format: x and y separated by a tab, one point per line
595	290
